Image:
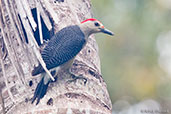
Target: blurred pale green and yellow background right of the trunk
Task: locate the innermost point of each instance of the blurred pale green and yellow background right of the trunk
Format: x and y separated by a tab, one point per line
132	61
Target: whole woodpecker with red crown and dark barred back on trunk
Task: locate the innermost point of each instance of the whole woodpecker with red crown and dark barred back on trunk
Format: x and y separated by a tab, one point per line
61	50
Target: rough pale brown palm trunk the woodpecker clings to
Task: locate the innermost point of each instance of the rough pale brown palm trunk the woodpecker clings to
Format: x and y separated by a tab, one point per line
18	58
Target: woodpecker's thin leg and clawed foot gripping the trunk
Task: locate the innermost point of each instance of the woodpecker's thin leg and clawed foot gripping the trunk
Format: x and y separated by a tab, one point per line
75	78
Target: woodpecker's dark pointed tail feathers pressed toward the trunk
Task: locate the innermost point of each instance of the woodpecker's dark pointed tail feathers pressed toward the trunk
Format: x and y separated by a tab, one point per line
40	91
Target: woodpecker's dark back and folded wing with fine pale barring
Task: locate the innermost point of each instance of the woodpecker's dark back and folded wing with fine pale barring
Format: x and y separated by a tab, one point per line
62	47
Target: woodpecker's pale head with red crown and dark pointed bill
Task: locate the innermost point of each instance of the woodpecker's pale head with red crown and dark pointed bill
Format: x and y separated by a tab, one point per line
92	25
